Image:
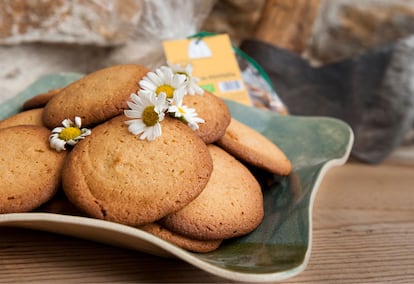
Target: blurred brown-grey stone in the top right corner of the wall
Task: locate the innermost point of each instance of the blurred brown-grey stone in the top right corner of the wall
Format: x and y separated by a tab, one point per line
345	28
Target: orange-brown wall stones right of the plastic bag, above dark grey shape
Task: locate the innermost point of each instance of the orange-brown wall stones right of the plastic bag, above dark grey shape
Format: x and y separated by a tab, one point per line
339	29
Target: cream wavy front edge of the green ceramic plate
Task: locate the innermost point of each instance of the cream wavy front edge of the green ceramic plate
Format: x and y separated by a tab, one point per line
46	221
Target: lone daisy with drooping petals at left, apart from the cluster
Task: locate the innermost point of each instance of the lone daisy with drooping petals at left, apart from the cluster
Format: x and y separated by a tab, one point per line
70	134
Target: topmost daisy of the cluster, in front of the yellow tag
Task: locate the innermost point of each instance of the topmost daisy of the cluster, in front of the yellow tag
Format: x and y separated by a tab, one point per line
163	80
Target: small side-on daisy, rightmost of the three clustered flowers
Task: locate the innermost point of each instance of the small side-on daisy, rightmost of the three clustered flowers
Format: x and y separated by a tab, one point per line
184	113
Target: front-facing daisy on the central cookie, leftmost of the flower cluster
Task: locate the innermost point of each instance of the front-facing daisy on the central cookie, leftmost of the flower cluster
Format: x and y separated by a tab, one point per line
147	110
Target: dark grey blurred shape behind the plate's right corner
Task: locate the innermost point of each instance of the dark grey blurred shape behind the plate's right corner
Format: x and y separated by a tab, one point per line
373	92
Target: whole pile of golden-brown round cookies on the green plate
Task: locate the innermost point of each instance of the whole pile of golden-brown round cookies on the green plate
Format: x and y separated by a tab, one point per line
190	186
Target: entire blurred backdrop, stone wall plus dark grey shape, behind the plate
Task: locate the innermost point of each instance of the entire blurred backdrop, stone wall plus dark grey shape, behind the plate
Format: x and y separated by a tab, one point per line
348	59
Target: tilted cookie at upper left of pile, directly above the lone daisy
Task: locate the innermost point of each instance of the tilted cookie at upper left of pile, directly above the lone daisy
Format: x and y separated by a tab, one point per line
95	97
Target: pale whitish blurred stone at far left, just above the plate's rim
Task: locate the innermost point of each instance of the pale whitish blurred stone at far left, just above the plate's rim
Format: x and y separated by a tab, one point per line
21	65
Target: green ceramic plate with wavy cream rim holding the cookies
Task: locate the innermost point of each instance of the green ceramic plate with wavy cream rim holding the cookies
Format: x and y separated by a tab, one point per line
279	248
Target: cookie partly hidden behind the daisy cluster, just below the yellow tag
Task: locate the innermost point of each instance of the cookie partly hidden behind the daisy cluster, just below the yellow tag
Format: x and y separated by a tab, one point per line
215	113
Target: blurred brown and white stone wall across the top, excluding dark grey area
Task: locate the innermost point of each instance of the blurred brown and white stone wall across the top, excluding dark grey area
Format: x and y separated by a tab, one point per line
43	36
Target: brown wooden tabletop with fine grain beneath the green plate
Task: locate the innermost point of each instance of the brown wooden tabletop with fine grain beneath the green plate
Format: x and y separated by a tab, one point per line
363	233
